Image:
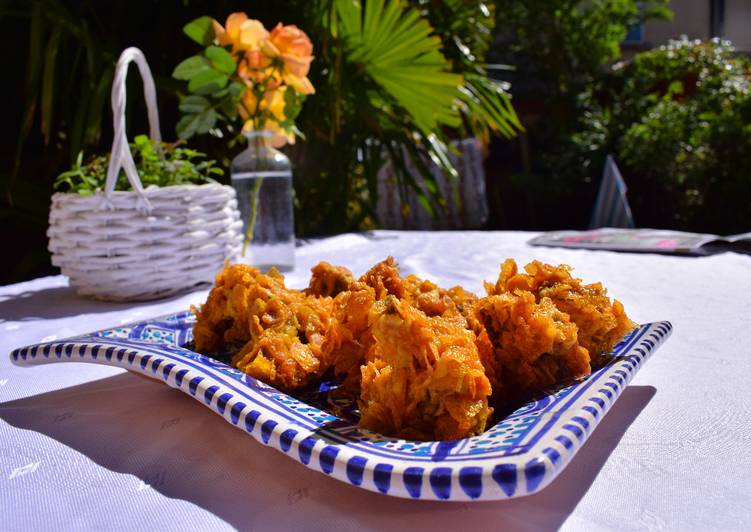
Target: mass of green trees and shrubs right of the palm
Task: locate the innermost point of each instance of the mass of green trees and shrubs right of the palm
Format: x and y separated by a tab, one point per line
675	119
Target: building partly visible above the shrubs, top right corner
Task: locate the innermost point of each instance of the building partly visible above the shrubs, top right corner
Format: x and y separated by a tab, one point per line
698	19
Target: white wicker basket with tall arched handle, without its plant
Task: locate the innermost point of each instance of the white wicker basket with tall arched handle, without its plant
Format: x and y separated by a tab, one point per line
146	243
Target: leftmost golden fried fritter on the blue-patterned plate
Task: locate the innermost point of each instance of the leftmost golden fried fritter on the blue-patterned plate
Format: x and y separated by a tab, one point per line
282	330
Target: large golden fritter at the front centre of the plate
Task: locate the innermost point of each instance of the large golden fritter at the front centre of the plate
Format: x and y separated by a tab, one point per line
423	378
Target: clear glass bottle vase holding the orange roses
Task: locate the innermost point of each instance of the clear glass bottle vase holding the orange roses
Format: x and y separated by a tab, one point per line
262	177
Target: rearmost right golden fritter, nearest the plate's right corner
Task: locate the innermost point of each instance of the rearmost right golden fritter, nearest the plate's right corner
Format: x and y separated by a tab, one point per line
601	324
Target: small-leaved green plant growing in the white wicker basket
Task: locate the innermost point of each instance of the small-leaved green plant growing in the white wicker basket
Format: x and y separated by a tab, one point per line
161	164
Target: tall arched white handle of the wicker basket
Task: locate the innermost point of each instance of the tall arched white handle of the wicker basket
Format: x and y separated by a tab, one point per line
121	157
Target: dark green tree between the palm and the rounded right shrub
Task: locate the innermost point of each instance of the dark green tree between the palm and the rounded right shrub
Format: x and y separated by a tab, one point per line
559	50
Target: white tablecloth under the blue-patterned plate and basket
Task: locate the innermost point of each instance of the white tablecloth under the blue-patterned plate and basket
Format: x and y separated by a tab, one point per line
92	447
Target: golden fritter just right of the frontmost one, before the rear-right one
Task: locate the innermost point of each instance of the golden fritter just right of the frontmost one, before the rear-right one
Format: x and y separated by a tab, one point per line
535	344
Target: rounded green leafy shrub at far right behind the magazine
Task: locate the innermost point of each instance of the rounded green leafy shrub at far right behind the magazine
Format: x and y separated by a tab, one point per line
678	120
